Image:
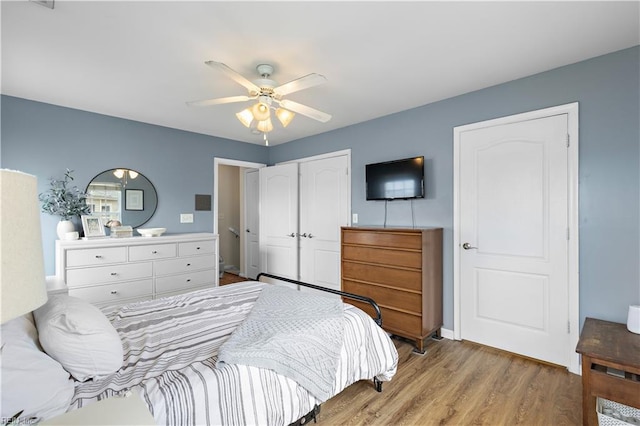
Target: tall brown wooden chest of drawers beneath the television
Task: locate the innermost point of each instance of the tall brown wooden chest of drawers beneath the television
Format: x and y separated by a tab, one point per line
401	269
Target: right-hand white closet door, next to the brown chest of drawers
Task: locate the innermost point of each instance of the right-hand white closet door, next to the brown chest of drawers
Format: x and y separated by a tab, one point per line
324	208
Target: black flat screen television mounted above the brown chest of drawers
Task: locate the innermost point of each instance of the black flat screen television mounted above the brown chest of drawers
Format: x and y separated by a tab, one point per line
395	180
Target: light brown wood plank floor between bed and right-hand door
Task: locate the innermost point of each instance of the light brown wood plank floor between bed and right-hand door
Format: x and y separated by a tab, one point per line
461	383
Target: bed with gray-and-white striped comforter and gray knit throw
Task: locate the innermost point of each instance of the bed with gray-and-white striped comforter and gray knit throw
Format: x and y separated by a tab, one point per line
171	346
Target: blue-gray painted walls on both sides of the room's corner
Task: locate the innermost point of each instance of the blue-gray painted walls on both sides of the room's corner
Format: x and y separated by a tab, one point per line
44	140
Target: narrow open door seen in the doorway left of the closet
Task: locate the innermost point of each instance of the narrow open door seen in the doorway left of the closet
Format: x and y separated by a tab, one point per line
252	223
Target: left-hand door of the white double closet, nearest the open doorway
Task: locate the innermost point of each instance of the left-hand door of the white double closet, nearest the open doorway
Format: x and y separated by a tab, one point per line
279	220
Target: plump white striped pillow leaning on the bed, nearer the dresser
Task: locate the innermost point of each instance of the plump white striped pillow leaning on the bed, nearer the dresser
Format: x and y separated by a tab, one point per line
79	336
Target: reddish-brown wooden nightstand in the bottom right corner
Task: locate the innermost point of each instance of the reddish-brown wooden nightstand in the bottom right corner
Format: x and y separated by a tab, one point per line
608	345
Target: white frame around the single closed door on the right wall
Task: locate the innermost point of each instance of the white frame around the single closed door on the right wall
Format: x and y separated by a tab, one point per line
573	277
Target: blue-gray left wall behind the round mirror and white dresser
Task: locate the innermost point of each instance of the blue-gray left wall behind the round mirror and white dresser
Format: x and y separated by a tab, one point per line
44	140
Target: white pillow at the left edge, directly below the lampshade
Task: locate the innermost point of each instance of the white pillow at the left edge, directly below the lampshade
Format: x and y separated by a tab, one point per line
31	380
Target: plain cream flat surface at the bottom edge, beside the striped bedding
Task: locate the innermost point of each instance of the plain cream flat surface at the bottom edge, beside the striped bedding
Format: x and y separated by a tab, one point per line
126	410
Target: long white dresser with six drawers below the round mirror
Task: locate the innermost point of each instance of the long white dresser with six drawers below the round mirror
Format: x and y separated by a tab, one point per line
121	270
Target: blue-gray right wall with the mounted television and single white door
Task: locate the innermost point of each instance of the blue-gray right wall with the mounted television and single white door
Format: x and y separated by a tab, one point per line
608	91
